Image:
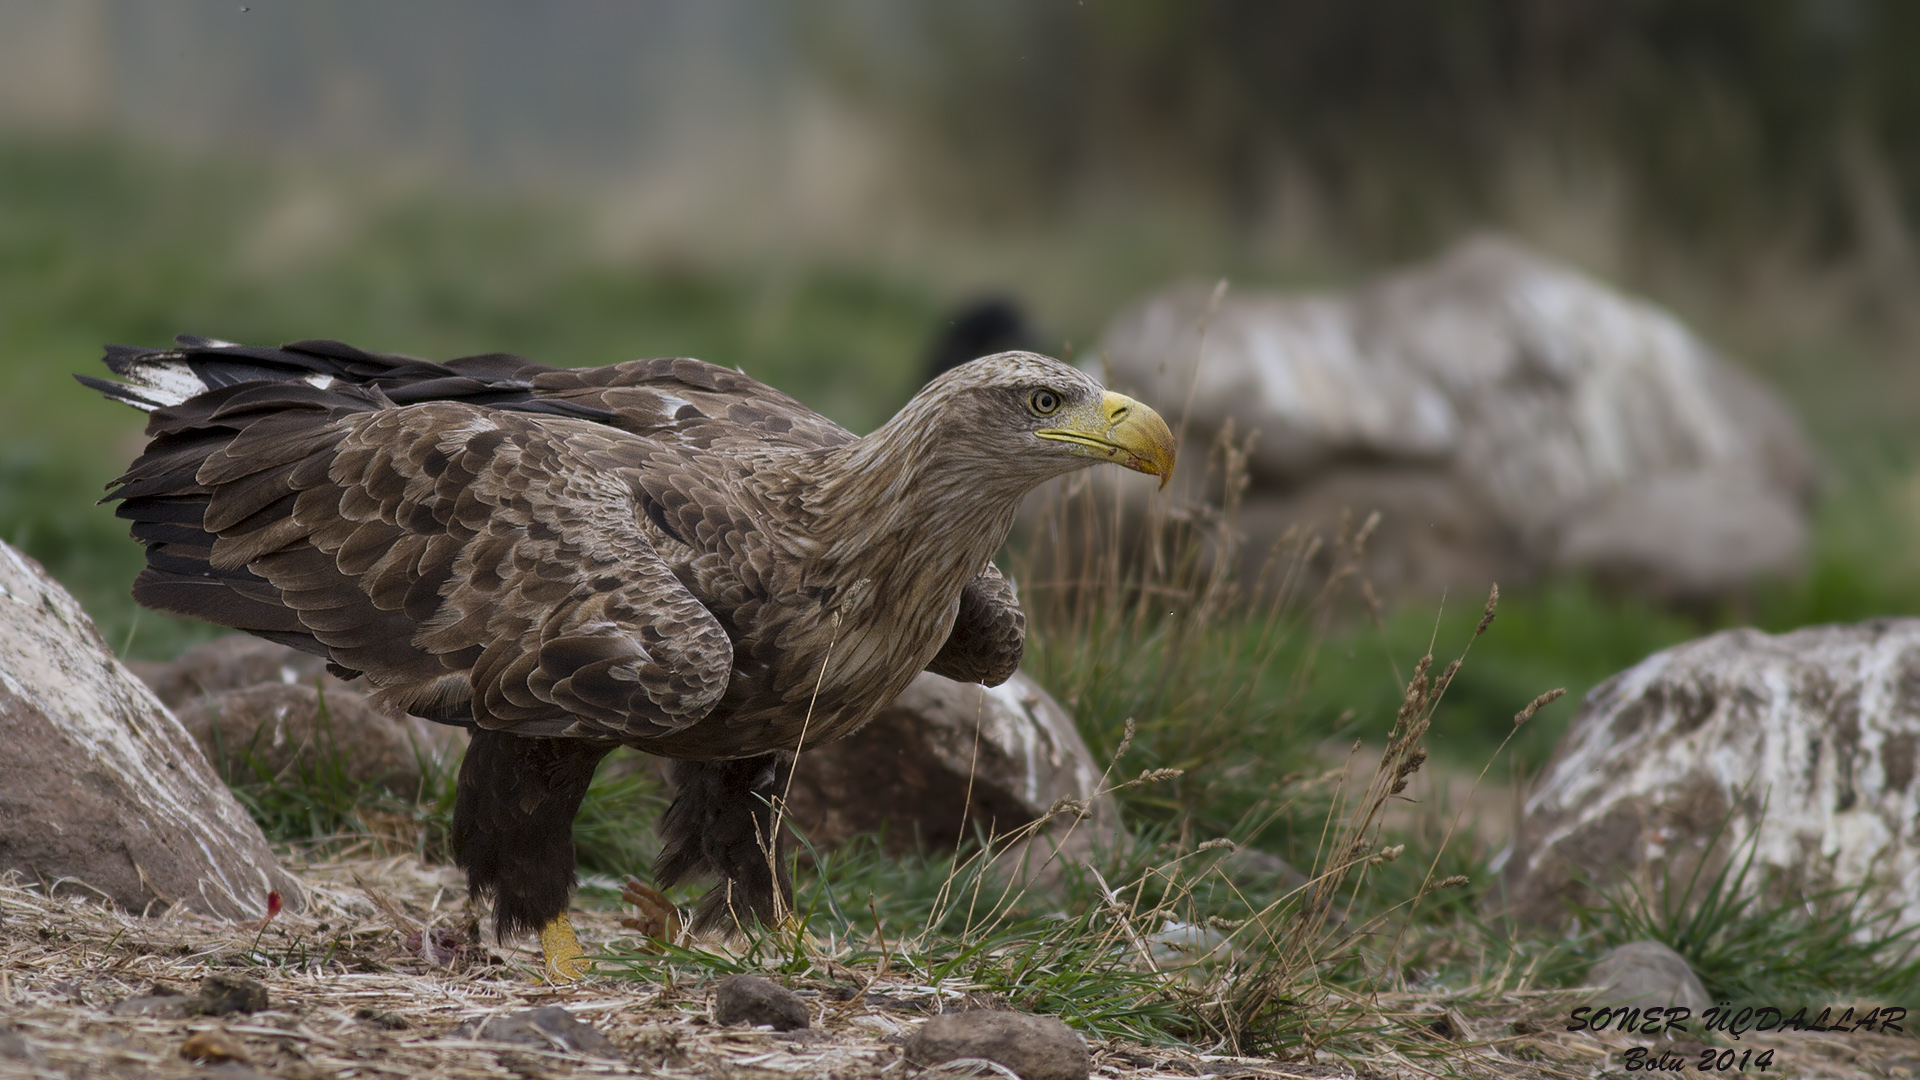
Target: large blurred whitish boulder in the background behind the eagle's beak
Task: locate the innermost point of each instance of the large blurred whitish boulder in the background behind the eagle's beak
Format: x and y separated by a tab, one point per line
1506	416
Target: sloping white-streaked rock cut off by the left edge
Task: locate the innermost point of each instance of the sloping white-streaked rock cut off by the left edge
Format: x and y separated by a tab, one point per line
103	793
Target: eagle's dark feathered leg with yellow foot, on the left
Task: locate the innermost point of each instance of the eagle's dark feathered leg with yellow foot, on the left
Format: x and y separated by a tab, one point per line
514	831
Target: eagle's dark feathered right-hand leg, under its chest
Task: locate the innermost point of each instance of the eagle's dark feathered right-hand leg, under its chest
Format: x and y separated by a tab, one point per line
723	825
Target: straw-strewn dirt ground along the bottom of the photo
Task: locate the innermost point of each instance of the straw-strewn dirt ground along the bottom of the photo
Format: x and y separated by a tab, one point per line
377	979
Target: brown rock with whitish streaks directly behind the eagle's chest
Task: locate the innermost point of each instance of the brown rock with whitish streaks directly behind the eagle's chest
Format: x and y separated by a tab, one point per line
907	772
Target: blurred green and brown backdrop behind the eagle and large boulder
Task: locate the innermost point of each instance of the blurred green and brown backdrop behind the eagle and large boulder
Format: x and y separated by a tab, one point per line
811	189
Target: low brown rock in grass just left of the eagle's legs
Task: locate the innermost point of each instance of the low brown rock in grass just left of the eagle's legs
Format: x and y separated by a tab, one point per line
279	731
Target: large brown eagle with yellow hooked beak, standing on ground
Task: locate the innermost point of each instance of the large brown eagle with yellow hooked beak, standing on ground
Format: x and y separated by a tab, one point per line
660	554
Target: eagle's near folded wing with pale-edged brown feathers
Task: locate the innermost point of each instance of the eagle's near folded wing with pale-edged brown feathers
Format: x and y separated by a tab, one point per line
473	562
